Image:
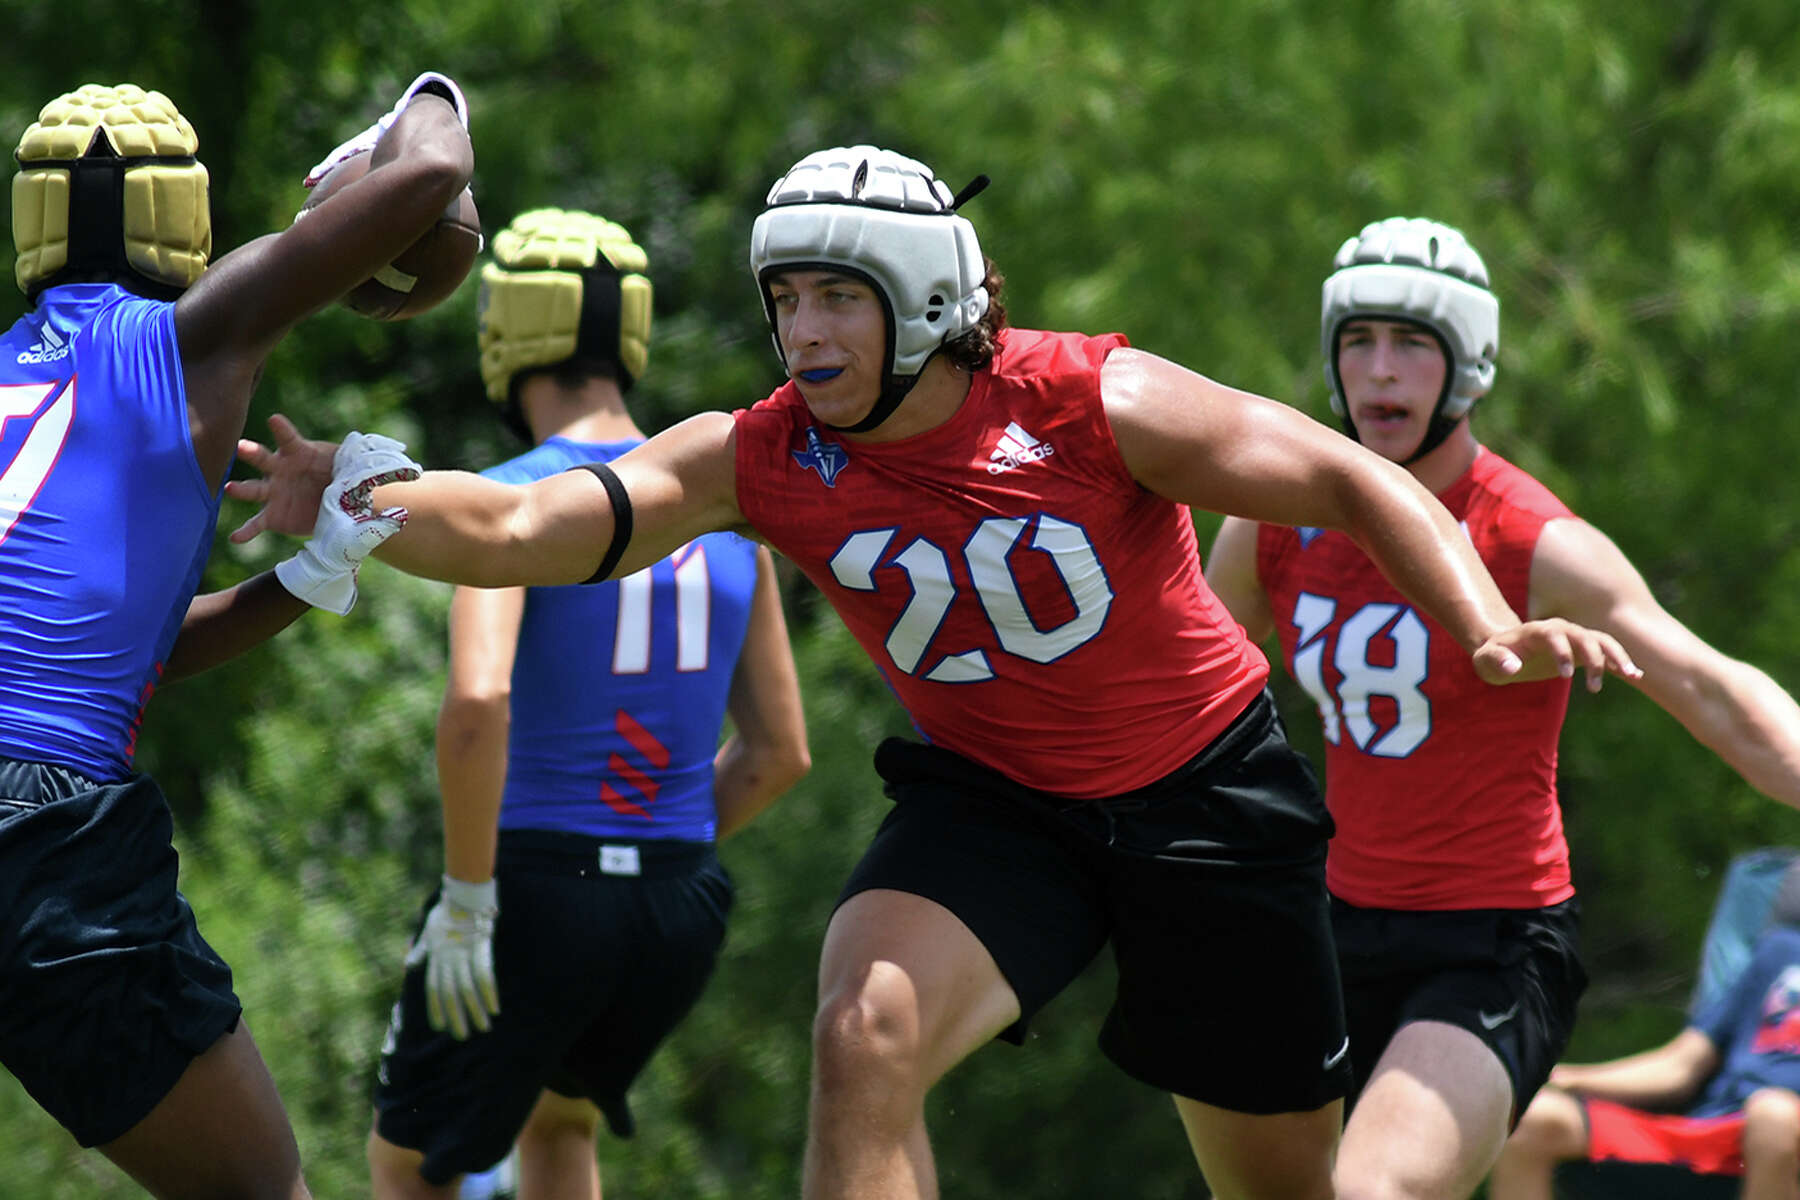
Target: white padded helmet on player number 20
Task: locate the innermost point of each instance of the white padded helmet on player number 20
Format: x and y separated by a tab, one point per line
890	220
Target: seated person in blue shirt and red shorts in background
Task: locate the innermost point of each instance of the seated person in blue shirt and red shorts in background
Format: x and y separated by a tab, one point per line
1720	1098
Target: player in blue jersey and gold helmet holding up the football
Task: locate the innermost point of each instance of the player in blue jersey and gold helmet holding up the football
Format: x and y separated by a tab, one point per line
123	395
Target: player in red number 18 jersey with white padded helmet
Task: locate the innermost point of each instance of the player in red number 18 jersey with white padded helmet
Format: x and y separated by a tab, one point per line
1452	900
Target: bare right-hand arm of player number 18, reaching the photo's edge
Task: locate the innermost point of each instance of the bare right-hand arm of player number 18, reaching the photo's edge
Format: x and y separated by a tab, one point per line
1732	708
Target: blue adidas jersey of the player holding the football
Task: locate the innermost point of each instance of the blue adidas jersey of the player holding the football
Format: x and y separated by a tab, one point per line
105	523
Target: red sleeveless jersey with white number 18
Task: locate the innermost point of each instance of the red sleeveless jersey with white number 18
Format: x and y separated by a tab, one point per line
1444	789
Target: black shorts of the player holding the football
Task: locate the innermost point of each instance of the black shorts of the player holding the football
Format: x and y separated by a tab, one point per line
107	987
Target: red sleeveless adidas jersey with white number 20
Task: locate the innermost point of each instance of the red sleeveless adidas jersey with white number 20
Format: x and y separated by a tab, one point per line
1027	600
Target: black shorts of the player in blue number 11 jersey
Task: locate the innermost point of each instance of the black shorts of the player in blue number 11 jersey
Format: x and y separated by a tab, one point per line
595	971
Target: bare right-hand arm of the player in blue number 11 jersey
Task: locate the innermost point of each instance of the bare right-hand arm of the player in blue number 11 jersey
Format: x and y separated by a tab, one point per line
768	749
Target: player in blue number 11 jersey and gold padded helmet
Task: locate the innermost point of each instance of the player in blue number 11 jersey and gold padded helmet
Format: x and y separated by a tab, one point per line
582	775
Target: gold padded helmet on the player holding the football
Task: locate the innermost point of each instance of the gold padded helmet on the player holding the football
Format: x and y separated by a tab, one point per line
109	184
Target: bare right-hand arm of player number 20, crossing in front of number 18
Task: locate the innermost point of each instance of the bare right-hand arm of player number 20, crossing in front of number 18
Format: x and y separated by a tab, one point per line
1212	447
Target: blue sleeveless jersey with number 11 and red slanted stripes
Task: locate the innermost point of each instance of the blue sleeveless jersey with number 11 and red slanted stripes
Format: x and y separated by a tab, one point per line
620	688
